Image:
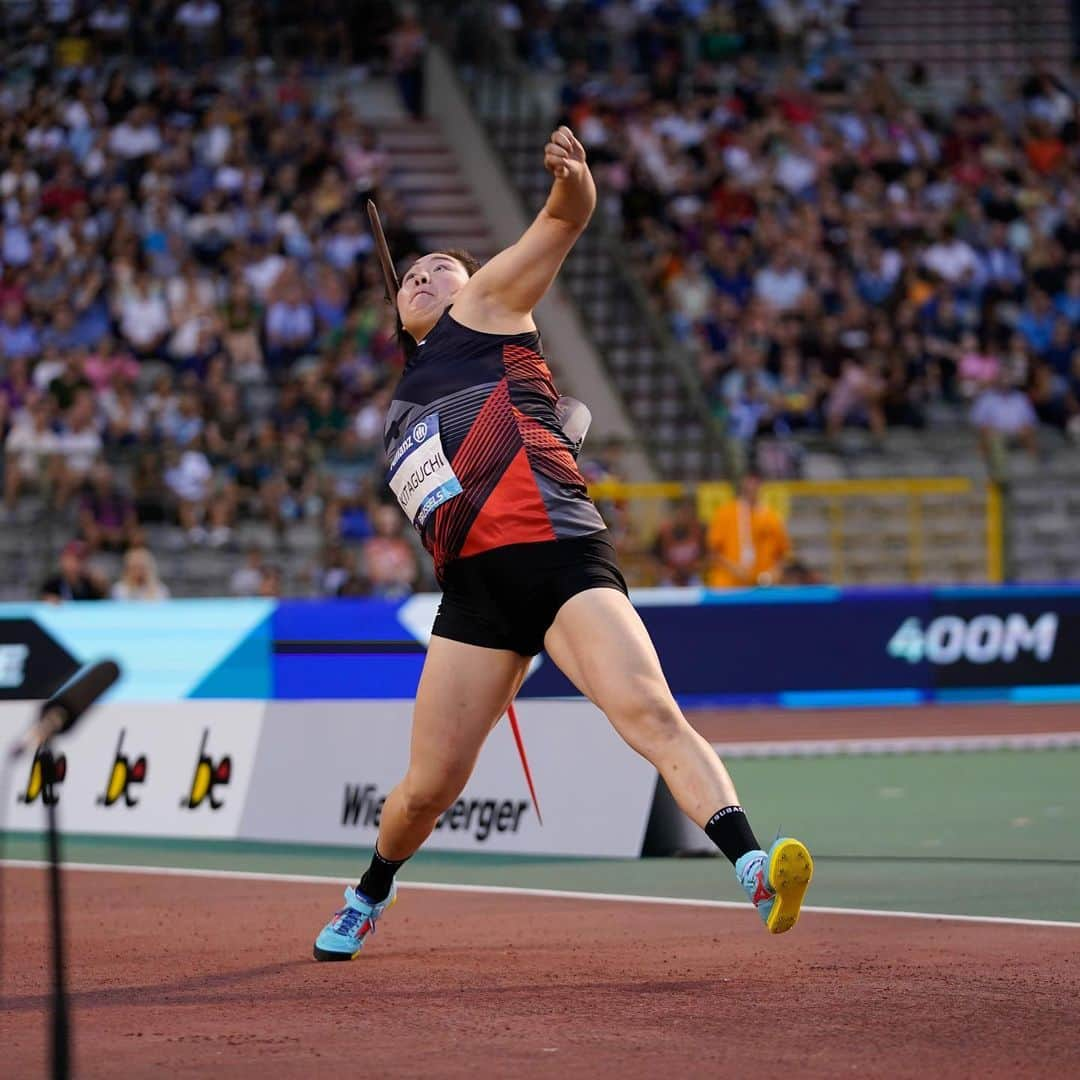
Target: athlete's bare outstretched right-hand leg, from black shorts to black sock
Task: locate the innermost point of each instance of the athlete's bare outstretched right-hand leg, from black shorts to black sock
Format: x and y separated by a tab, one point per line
603	647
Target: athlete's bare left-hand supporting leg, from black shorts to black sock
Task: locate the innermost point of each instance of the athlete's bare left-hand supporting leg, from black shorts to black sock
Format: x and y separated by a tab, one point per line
463	693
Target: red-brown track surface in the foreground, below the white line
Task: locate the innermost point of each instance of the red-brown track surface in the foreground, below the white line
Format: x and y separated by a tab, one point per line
182	977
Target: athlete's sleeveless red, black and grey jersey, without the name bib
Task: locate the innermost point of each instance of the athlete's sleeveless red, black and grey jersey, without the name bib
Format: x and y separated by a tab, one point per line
496	407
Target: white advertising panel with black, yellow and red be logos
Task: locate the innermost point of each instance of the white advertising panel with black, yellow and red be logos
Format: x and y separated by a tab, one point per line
177	769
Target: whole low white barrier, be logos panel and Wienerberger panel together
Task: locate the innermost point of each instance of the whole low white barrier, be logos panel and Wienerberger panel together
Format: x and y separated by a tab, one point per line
317	773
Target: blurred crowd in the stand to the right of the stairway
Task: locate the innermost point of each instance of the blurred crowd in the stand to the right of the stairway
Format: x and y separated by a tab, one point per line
836	246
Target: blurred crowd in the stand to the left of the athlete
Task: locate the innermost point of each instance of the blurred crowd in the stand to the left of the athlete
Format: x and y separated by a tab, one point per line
187	291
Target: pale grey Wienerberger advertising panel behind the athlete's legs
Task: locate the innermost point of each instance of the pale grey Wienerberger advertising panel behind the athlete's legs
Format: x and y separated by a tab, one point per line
325	768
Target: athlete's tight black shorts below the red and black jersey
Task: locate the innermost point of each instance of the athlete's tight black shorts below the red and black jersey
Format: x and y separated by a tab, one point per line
509	598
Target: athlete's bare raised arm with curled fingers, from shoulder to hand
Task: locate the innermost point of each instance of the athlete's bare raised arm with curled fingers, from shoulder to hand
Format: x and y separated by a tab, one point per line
501	296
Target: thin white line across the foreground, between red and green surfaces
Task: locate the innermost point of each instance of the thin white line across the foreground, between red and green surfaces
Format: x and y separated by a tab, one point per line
501	890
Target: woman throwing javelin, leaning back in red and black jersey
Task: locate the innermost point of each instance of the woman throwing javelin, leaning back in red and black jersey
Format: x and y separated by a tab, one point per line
481	466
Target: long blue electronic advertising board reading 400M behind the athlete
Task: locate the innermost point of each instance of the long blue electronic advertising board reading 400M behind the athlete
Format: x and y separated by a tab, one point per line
790	647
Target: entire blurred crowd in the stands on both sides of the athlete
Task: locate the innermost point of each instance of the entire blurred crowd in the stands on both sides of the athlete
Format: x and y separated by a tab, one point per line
187	291
